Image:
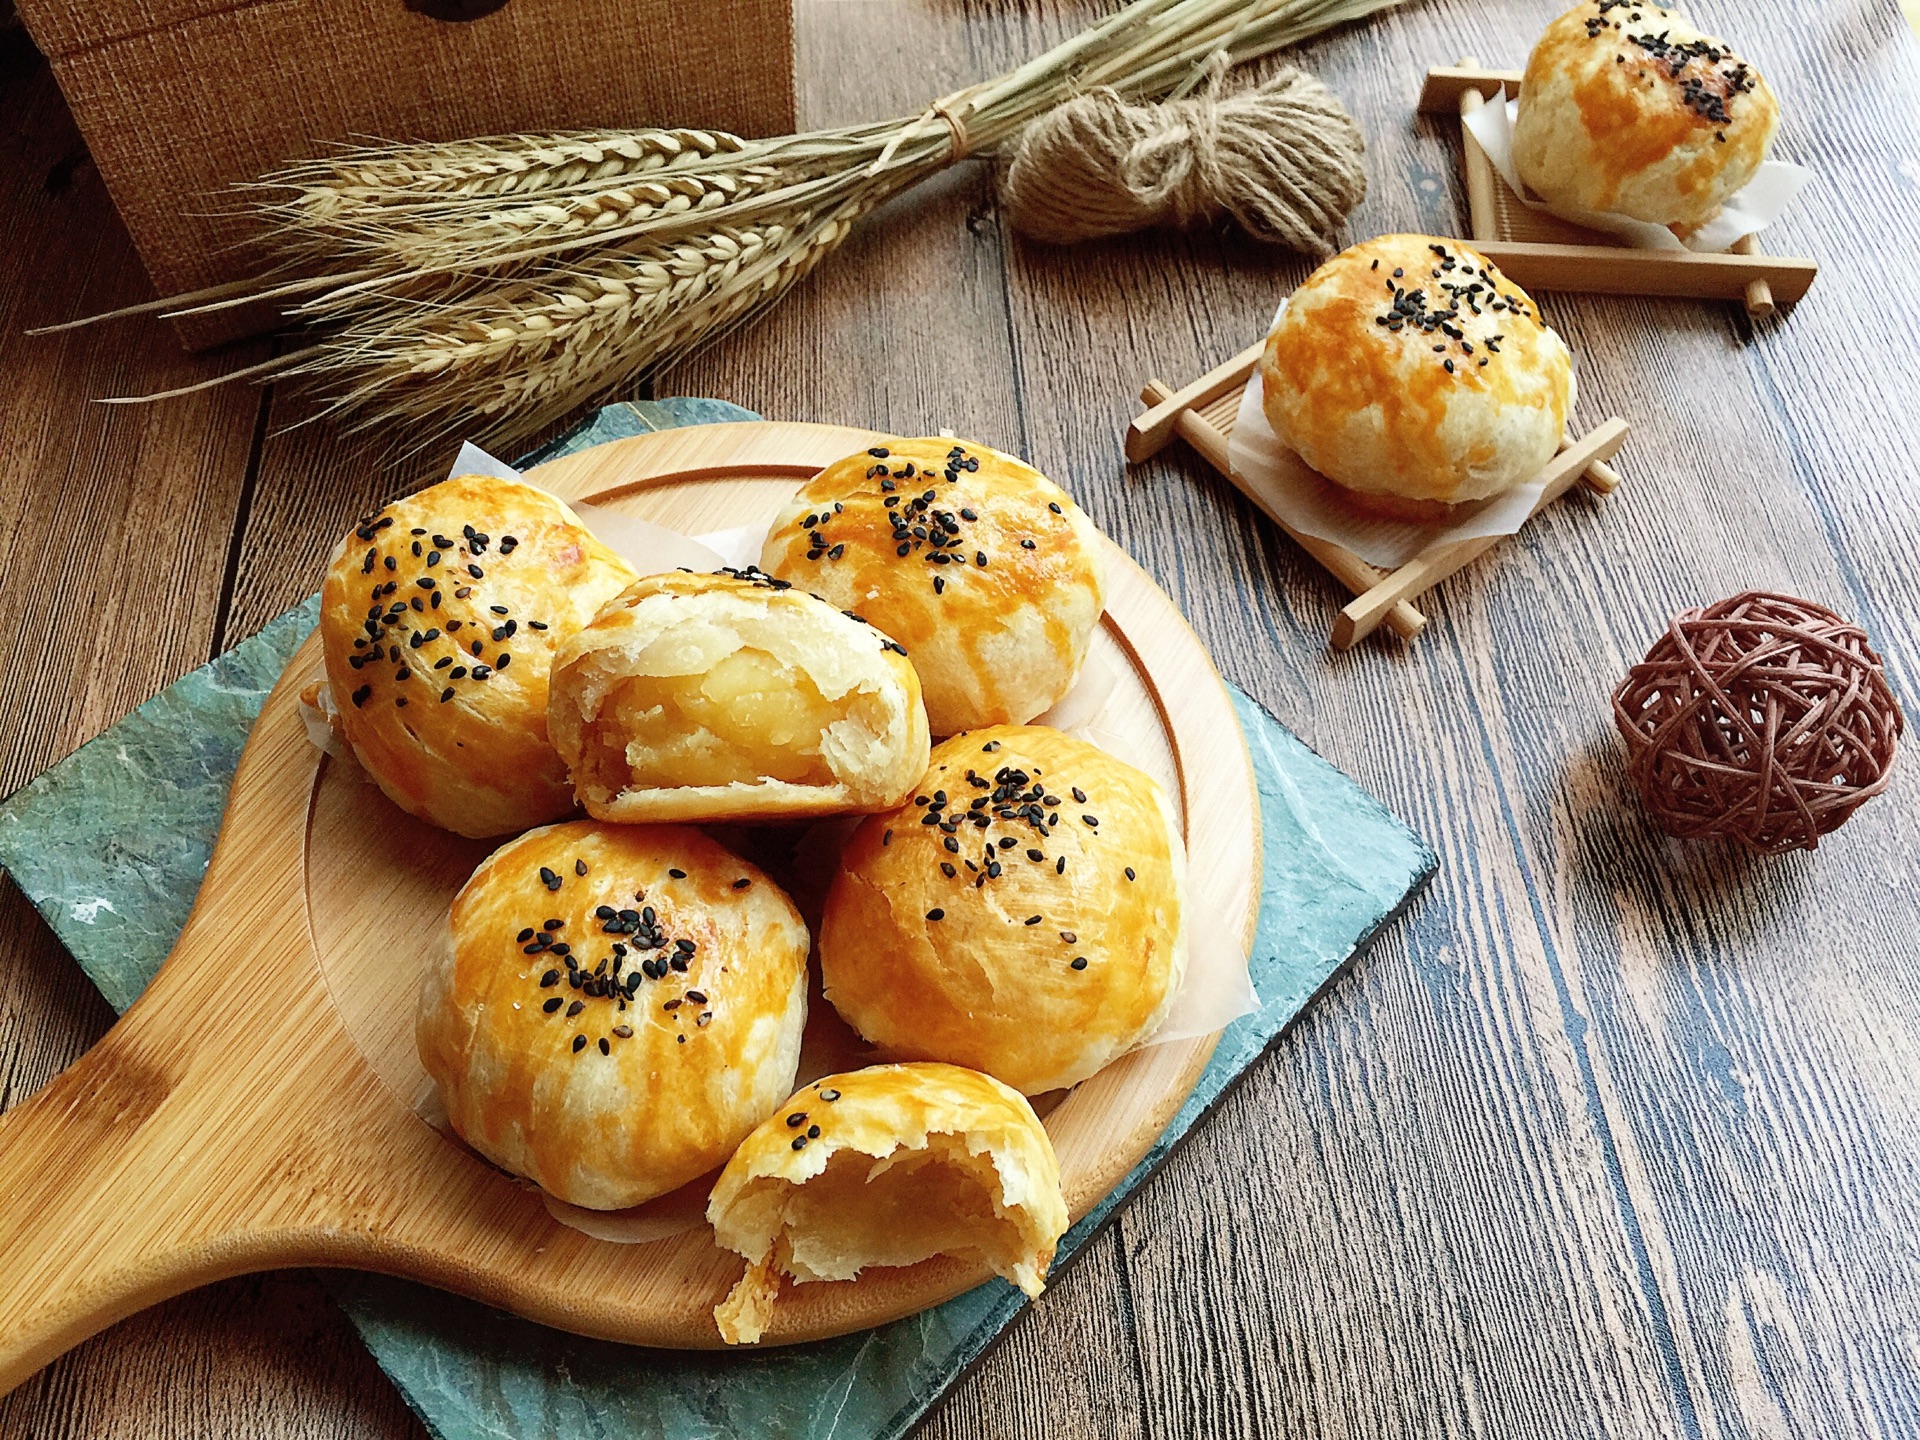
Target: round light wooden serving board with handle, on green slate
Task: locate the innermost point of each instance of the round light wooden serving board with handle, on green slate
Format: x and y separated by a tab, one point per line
262	1103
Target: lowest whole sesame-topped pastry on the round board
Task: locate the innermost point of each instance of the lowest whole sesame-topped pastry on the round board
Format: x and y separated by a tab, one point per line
617	1007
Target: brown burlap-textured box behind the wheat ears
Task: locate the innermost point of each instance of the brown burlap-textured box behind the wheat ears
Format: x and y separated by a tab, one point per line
183	99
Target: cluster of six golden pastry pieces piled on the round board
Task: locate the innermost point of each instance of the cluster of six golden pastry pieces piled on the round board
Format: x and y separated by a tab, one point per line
617	1011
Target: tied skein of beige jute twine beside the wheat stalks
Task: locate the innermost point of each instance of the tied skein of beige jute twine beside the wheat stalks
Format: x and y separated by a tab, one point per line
1284	158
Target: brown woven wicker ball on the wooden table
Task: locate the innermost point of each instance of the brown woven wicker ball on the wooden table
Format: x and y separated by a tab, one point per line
1764	719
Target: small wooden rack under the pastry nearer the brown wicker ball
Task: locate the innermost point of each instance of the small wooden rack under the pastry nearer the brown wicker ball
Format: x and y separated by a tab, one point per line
1203	414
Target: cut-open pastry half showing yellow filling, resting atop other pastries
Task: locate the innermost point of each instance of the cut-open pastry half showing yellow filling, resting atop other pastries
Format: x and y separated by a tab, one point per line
679	627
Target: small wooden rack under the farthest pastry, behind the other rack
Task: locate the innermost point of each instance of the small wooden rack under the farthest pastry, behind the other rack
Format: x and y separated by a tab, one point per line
1545	252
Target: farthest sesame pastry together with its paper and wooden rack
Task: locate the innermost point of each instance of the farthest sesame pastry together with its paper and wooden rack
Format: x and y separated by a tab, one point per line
1627	122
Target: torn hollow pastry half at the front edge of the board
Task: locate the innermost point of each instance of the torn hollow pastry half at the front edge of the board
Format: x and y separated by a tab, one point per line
888	1166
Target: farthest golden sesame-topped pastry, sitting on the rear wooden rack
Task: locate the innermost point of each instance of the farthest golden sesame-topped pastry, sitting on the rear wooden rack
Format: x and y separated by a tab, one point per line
1627	108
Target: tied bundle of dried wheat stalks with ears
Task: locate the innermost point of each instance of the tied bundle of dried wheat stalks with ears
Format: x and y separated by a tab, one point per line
494	287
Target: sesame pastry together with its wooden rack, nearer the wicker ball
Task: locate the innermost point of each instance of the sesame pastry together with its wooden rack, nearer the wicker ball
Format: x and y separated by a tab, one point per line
1418	381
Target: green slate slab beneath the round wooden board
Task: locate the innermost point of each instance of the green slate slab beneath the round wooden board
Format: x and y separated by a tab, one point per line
110	848
